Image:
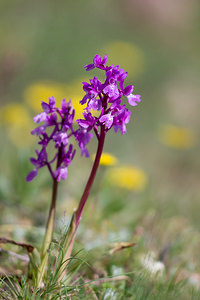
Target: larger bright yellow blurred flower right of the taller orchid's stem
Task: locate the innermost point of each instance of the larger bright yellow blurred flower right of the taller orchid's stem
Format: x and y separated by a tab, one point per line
127	177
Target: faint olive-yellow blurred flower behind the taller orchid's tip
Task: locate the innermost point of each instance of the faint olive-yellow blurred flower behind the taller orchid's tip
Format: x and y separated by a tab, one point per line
127	55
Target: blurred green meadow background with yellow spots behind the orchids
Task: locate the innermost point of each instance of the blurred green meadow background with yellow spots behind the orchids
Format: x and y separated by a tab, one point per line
147	188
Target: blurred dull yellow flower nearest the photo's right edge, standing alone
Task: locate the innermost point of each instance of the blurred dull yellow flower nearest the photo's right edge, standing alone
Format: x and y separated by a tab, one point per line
177	137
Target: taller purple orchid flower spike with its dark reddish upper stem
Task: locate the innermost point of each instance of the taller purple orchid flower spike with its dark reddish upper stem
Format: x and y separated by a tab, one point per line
106	98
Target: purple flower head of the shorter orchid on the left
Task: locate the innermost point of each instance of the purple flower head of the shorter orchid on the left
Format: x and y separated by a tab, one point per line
57	127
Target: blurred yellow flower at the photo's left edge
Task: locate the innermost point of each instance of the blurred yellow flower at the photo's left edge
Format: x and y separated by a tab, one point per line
18	124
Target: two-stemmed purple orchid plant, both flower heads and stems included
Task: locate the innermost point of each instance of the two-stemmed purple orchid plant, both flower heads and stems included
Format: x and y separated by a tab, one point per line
56	126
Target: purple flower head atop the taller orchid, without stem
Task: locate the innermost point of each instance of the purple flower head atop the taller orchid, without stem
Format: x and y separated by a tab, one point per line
106	98
